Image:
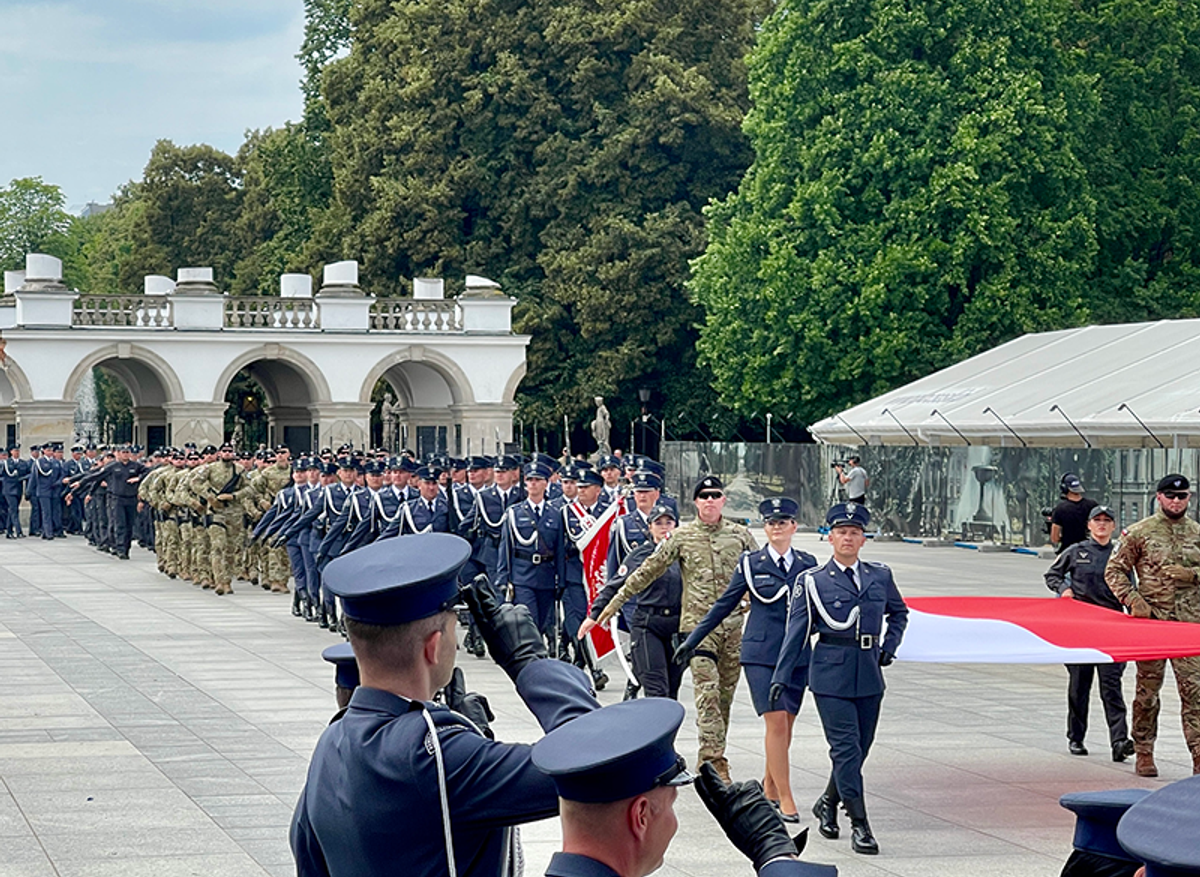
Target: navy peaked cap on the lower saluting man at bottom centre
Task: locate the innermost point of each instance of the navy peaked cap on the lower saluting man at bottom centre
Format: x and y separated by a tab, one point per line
615	753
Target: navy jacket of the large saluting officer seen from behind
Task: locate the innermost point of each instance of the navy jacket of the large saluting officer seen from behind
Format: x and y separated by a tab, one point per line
371	804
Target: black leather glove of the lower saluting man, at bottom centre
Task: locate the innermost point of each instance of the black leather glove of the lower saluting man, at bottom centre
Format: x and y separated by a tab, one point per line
747	818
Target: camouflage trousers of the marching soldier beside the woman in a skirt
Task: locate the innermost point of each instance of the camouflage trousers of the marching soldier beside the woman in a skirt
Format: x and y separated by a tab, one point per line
715	683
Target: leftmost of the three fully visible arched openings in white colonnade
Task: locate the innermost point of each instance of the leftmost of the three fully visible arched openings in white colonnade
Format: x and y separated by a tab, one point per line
122	400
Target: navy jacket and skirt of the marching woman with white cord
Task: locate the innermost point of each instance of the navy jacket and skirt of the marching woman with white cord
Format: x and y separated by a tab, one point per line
763	638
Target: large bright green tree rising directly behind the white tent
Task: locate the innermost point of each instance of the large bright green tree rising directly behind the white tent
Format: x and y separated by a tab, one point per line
917	196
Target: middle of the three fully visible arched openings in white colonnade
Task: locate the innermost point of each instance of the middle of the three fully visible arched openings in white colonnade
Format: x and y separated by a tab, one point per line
271	404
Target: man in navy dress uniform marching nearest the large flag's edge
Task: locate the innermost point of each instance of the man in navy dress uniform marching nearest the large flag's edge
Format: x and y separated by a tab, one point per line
845	603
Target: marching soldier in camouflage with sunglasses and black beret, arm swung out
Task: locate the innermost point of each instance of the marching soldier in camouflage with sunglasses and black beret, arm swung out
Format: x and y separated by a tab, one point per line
709	550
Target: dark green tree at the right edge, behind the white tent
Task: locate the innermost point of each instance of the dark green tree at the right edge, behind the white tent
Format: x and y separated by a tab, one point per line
1144	155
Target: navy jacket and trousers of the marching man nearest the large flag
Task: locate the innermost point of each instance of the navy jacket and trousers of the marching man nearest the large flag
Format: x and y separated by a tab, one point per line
844	665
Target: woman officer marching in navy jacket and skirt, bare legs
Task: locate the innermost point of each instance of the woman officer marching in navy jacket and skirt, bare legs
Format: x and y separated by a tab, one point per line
769	574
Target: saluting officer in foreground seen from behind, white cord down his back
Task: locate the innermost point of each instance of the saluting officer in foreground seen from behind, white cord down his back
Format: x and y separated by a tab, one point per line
400	785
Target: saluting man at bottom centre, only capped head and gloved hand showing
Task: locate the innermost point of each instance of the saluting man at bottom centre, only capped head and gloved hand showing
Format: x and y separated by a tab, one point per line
619	777
